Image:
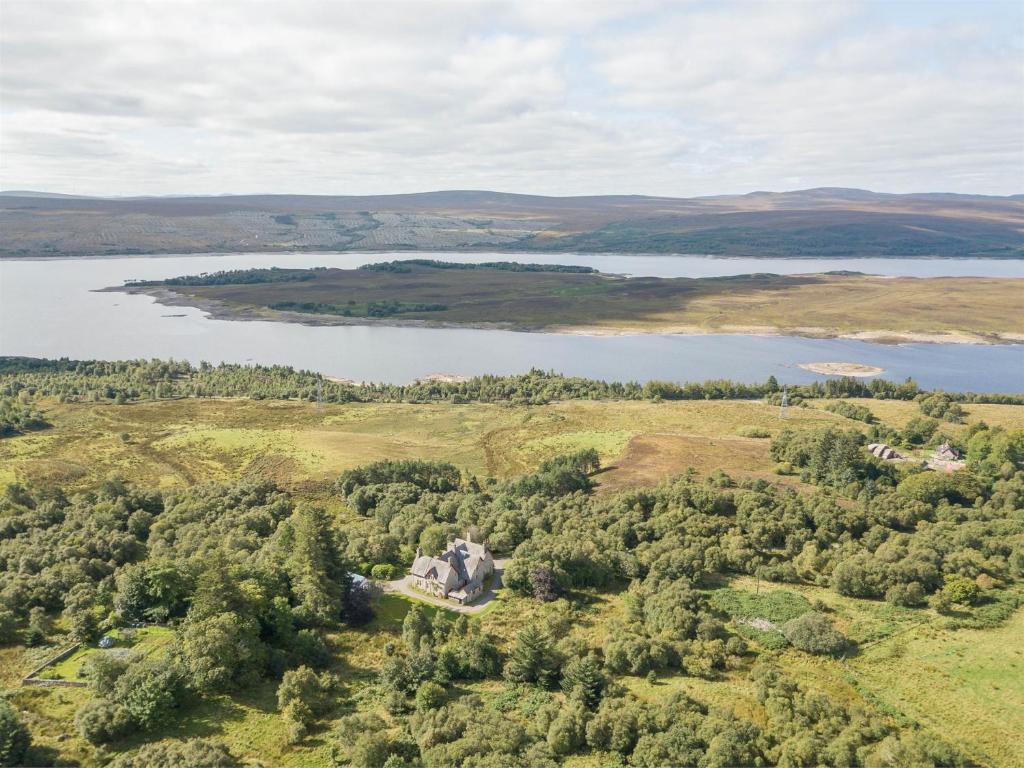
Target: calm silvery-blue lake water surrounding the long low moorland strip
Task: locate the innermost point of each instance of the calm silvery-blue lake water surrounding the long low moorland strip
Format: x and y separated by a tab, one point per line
49	309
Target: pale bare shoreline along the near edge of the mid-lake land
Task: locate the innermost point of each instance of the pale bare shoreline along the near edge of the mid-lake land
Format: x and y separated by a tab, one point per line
218	310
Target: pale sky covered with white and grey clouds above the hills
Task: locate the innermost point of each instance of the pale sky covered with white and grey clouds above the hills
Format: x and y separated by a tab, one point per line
679	99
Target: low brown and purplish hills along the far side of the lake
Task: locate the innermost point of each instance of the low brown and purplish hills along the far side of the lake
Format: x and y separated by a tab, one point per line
827	222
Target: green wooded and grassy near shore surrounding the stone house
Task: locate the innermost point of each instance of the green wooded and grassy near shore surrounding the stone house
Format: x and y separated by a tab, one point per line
693	578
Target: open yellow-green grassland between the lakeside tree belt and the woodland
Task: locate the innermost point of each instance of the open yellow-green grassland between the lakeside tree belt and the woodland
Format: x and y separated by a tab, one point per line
177	443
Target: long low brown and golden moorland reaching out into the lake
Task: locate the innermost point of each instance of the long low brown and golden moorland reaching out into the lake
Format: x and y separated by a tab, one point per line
559	298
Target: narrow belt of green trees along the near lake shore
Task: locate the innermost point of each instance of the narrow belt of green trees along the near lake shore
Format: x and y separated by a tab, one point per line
144	380
